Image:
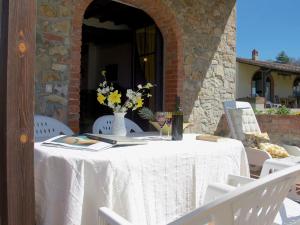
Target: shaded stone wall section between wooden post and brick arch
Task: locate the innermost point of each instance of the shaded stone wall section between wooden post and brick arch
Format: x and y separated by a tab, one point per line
52	58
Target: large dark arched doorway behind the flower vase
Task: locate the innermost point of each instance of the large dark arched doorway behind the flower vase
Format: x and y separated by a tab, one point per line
126	43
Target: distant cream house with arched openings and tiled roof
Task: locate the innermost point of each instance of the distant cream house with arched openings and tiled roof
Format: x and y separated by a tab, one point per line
276	82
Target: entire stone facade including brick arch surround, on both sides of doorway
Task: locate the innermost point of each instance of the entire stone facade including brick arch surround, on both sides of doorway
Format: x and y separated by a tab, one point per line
199	63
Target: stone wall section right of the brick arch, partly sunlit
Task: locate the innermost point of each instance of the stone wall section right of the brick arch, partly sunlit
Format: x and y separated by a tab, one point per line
208	29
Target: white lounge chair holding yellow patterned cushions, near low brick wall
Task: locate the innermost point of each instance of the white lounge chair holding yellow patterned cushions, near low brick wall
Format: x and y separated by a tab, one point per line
248	123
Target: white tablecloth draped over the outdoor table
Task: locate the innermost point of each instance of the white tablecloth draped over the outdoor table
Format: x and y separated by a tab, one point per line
147	184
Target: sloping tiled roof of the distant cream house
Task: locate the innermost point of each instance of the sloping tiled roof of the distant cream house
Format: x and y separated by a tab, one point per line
285	68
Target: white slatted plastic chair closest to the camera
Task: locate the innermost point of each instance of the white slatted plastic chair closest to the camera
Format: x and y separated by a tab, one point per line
255	203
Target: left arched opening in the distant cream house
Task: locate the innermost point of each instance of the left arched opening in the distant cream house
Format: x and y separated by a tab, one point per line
262	85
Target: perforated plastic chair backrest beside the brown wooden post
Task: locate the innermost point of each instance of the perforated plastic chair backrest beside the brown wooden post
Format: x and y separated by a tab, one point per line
46	127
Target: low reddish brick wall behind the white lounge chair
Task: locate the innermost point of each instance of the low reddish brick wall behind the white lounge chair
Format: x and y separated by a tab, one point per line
281	128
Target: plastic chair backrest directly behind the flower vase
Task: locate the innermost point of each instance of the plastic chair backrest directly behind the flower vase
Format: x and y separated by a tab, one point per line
103	125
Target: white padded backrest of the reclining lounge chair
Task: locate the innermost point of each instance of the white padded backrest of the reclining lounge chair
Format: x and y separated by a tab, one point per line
243	121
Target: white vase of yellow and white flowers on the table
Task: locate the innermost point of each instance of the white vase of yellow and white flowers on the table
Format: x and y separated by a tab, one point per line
109	96
